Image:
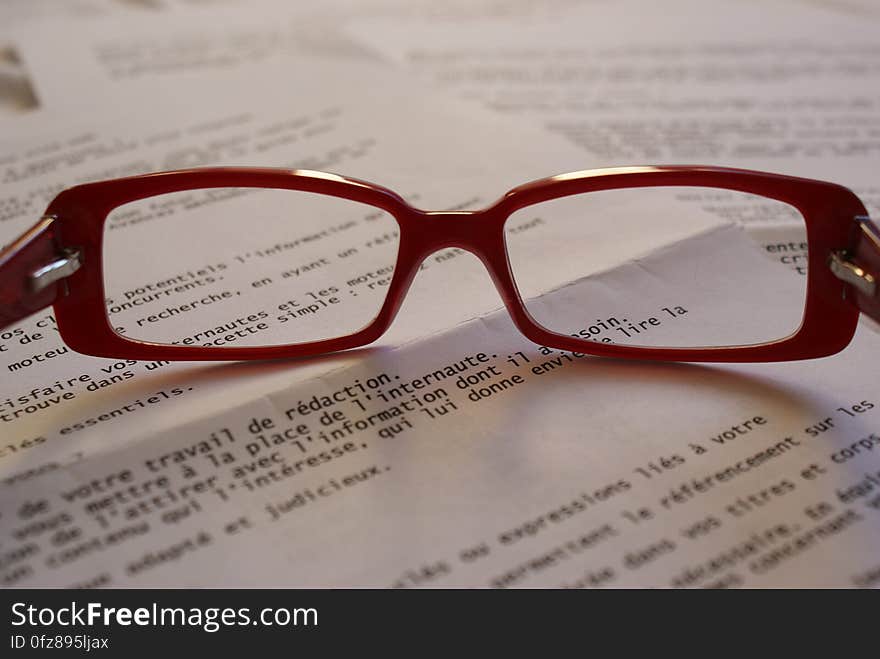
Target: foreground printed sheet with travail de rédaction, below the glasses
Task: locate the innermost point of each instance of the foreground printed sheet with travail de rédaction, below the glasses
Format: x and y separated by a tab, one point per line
474	458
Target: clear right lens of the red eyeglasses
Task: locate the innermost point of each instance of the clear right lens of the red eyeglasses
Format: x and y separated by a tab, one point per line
677	267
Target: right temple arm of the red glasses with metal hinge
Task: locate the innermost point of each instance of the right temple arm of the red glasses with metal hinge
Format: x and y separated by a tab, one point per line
859	266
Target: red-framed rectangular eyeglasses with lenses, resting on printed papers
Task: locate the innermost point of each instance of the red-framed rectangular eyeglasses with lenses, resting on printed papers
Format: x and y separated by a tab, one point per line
643	262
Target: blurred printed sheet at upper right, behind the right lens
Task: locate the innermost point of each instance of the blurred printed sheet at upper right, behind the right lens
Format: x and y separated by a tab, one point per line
769	86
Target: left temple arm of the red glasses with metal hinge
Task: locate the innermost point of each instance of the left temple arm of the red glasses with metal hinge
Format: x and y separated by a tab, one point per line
32	268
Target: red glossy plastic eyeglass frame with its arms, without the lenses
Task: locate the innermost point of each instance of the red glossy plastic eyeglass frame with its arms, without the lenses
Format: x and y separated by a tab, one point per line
836	222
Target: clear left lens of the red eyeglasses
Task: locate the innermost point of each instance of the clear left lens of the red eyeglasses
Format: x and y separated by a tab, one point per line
230	267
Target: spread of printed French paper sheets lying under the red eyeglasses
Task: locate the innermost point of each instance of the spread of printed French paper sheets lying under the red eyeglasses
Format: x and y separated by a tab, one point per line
453	452
